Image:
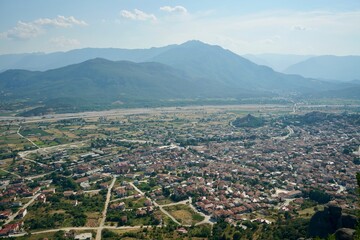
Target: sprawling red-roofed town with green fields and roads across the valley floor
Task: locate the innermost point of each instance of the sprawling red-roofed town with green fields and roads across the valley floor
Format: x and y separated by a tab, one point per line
174	173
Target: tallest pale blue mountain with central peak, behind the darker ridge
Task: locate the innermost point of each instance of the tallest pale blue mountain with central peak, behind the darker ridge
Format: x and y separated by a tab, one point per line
225	68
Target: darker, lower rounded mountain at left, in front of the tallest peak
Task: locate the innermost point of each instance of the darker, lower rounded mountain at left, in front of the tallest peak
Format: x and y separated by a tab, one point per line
97	78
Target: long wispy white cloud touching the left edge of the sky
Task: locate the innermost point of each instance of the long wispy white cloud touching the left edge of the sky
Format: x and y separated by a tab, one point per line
27	30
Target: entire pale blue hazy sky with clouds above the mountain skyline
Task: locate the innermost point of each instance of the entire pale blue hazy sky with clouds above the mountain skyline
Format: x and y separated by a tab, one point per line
243	26
